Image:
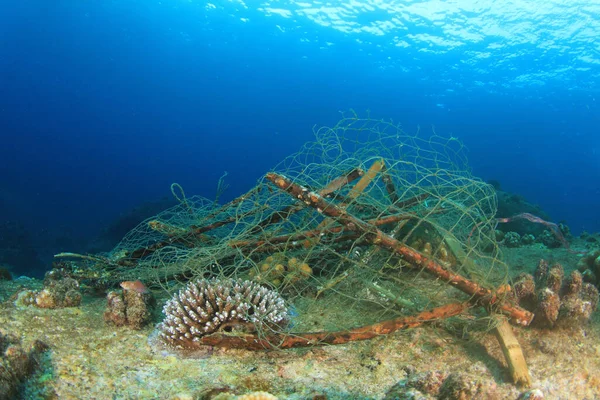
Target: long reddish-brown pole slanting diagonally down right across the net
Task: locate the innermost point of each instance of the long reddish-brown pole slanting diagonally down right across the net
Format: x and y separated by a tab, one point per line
376	236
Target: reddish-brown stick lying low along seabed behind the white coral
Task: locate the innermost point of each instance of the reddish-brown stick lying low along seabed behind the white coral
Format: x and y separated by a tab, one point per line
293	340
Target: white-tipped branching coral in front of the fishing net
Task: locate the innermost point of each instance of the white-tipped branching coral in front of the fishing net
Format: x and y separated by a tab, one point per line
220	305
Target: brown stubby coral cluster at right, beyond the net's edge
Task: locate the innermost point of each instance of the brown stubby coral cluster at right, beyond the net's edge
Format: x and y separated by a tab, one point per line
554	300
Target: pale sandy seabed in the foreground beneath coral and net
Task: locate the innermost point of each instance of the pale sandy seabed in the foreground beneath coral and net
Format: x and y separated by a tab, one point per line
90	359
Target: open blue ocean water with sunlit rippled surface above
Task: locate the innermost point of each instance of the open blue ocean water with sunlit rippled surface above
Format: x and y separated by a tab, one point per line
104	104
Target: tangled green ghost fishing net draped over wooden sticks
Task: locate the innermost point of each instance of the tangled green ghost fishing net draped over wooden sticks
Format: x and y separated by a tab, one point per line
364	231
